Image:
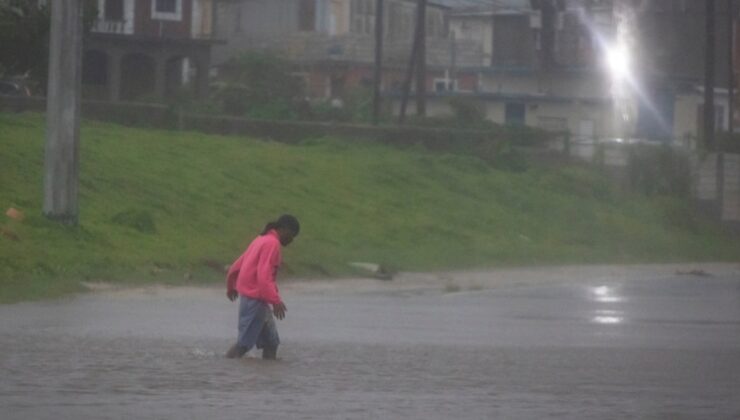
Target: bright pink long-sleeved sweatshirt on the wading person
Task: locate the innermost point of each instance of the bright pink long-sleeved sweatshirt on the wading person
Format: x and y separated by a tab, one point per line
253	274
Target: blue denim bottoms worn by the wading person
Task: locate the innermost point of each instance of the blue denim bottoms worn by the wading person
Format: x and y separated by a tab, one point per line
256	325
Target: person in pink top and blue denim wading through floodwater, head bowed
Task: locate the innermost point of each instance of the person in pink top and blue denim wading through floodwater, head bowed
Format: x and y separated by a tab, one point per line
252	278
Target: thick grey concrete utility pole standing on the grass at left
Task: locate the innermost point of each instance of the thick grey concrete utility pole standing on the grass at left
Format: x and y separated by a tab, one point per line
61	162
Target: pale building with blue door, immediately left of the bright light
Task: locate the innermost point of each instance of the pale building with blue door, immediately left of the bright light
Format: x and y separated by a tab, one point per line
541	64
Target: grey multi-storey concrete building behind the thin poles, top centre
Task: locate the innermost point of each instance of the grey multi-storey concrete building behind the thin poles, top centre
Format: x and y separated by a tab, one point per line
332	42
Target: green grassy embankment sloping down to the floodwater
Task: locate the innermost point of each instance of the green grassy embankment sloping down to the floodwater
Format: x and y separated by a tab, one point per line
162	206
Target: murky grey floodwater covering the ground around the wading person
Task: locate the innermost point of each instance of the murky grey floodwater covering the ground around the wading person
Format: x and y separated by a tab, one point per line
589	342
